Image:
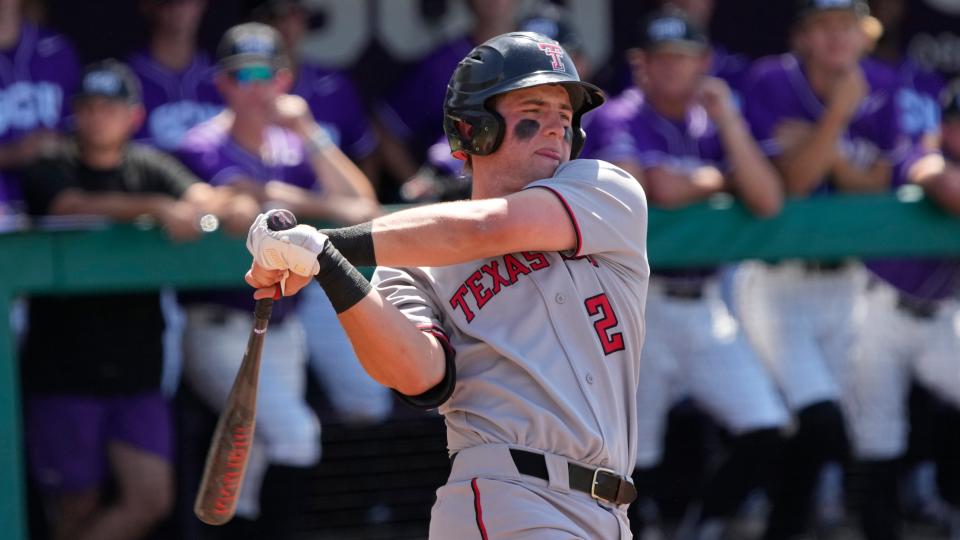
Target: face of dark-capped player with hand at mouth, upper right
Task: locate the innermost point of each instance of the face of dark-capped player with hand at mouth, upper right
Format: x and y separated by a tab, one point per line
832	40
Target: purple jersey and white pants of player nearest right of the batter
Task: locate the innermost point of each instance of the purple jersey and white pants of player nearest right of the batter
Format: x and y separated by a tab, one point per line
694	347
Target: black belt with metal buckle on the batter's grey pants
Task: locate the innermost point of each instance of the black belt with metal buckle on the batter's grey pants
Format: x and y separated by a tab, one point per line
602	484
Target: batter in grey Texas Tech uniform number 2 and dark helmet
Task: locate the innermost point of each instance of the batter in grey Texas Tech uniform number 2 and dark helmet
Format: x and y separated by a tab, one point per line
523	322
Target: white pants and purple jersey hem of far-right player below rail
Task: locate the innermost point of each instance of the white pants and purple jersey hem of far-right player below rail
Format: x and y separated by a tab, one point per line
908	329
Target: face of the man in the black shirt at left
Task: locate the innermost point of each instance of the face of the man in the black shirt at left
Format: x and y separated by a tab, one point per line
105	123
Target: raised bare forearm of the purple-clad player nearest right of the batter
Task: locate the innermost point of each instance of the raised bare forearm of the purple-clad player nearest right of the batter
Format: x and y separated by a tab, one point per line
757	182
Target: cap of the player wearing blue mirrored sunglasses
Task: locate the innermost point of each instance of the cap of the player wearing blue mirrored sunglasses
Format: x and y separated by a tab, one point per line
251	44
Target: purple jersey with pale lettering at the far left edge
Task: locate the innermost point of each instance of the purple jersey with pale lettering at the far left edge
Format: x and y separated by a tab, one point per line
37	76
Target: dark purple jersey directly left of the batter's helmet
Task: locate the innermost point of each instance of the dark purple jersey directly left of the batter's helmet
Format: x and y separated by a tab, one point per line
414	110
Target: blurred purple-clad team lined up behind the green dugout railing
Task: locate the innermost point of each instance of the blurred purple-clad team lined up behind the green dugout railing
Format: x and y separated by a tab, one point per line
800	371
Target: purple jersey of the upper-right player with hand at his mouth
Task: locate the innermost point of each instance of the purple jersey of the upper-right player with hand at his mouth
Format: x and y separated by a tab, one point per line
776	90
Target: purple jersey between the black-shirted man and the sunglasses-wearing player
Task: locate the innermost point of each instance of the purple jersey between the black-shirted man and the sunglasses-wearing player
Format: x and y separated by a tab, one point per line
175	100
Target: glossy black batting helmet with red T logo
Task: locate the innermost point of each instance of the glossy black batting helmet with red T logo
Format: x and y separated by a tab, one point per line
505	63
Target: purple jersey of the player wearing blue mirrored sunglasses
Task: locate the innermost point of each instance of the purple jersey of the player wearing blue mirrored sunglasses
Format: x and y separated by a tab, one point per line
213	155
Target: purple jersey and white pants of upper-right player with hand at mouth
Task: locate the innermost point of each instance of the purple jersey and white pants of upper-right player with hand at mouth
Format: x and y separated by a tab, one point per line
799	315
